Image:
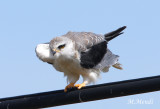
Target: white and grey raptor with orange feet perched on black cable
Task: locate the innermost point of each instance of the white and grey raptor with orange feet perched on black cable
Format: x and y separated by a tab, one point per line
84	54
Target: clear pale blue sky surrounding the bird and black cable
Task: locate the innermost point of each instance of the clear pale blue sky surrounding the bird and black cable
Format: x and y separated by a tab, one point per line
24	24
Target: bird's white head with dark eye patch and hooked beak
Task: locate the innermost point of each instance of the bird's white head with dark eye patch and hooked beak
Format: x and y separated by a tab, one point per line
62	46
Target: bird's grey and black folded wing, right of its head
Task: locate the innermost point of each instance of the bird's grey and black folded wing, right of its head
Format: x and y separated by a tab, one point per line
92	47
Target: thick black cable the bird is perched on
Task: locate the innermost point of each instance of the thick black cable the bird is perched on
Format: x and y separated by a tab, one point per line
90	93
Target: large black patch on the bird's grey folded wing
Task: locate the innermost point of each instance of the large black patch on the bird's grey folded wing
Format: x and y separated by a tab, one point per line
95	54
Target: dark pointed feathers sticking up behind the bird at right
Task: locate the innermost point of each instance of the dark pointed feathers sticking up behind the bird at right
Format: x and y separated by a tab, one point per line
109	36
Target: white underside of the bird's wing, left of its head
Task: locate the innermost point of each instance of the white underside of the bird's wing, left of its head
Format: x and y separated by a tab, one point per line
43	52
